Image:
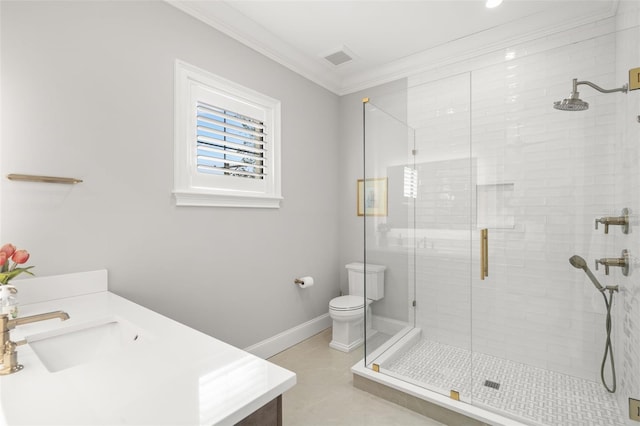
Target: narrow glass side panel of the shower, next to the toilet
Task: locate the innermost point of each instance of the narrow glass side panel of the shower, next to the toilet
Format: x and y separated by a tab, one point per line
386	201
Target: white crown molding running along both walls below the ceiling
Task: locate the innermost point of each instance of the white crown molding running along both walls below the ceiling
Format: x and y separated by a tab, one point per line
481	43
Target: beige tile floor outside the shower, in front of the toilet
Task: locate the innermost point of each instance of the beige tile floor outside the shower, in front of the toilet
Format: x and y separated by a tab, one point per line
324	394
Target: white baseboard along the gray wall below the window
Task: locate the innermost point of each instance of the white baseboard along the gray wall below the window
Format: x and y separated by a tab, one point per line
278	343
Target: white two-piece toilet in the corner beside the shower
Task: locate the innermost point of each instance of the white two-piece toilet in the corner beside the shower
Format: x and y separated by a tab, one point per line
347	312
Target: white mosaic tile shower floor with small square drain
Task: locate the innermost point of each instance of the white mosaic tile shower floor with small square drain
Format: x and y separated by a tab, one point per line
534	395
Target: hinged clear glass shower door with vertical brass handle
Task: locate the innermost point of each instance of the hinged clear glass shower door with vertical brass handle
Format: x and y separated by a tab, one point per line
542	177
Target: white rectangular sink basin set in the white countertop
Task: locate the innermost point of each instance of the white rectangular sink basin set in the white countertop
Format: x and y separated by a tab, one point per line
81	343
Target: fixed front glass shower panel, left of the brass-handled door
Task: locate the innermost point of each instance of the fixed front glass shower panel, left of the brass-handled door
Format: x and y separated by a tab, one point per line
425	239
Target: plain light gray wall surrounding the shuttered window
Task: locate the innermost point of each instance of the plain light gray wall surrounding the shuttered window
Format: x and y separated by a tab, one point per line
87	92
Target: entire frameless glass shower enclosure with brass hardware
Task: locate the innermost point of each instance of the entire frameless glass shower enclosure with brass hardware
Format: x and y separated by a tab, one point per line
476	194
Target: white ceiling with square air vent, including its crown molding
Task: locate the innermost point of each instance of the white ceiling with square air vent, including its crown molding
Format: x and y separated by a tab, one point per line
388	39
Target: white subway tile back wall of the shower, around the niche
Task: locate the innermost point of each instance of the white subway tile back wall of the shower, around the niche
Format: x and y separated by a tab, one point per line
534	307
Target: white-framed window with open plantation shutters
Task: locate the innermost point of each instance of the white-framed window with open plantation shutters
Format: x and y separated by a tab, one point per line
227	142
